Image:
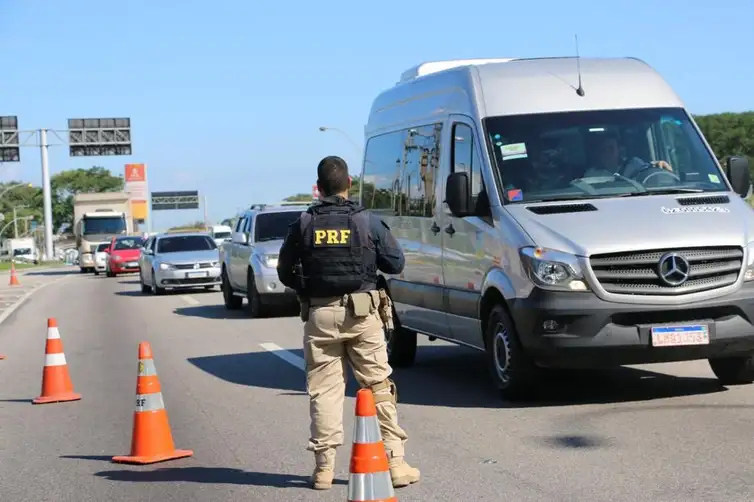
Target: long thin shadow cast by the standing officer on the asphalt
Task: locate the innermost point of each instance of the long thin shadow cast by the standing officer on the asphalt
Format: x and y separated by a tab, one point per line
211	475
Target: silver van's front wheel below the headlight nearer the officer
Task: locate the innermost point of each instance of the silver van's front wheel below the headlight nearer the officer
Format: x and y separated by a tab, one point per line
513	372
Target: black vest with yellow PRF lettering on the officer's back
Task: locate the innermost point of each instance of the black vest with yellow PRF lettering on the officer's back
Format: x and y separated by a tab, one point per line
338	257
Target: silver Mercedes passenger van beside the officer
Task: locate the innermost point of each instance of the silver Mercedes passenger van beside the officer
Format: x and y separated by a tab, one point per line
560	212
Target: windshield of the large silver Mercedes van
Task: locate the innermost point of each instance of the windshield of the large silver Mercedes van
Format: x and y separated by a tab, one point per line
612	153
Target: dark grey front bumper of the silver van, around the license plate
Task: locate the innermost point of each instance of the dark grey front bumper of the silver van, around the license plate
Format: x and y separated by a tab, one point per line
581	330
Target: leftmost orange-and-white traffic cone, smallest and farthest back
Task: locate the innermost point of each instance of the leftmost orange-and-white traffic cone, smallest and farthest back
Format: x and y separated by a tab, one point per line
56	382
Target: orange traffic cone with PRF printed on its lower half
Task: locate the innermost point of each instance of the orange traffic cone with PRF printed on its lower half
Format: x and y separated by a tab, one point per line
151	440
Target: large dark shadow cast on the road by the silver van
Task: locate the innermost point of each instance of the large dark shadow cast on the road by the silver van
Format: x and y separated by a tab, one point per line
457	377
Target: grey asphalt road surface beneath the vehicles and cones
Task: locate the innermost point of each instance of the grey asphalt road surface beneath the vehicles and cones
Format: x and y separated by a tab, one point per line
668	433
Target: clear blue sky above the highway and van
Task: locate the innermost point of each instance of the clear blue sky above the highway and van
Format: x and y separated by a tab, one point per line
226	96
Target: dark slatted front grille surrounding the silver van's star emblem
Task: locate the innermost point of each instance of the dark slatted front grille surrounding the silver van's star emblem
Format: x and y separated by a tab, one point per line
637	273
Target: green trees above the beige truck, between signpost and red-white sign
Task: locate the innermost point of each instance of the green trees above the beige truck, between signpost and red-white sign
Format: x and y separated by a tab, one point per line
66	184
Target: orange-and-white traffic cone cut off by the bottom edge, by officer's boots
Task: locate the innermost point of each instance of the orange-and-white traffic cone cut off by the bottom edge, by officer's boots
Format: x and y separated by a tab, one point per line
369	474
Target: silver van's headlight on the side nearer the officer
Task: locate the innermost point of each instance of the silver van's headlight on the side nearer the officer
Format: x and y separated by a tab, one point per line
551	269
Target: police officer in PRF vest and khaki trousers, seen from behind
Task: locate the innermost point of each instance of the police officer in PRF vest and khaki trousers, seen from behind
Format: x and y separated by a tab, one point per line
330	257
